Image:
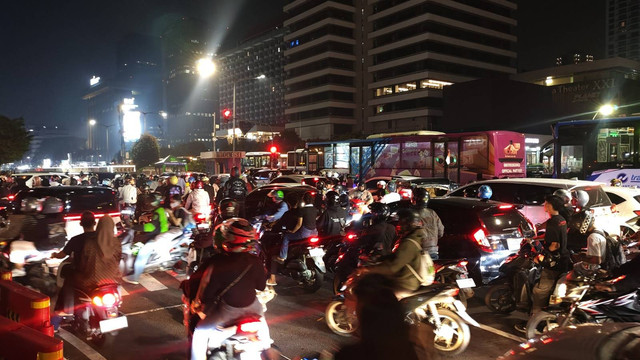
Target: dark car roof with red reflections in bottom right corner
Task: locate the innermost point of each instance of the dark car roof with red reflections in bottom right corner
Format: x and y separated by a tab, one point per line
606	341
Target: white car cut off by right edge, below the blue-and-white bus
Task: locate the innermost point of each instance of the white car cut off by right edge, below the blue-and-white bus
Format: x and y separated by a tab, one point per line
626	206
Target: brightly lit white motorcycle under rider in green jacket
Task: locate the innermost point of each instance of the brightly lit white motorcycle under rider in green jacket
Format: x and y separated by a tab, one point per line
171	248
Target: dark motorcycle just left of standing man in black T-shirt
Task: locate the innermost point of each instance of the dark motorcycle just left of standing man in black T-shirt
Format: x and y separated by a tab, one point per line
519	274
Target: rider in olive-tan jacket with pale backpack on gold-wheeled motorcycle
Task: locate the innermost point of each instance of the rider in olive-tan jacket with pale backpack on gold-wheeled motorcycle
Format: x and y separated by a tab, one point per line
407	256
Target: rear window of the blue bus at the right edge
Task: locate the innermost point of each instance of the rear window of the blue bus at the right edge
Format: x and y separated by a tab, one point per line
615	145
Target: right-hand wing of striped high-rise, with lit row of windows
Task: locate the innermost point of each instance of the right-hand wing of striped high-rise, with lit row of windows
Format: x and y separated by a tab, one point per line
417	47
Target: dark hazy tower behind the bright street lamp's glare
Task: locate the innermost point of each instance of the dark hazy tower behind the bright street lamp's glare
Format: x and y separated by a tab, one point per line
190	100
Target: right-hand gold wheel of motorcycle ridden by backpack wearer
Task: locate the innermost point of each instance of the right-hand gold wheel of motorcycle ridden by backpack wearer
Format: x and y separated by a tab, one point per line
453	335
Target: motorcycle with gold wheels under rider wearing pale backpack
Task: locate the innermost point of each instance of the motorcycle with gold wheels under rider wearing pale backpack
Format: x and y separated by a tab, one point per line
435	304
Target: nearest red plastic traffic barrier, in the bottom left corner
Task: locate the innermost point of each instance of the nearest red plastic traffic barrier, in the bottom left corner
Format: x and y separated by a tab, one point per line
19	342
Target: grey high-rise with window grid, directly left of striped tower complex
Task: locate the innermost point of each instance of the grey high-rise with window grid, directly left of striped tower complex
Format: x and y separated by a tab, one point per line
256	68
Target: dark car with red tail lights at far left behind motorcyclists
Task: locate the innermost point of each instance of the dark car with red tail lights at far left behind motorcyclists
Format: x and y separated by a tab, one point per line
102	201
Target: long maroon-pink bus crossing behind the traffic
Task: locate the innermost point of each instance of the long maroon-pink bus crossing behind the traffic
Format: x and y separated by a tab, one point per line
460	157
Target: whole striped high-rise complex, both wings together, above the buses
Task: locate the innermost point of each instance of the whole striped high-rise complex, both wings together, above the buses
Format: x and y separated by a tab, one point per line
380	66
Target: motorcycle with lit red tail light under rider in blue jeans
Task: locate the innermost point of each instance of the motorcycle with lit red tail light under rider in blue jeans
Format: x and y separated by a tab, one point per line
304	263
